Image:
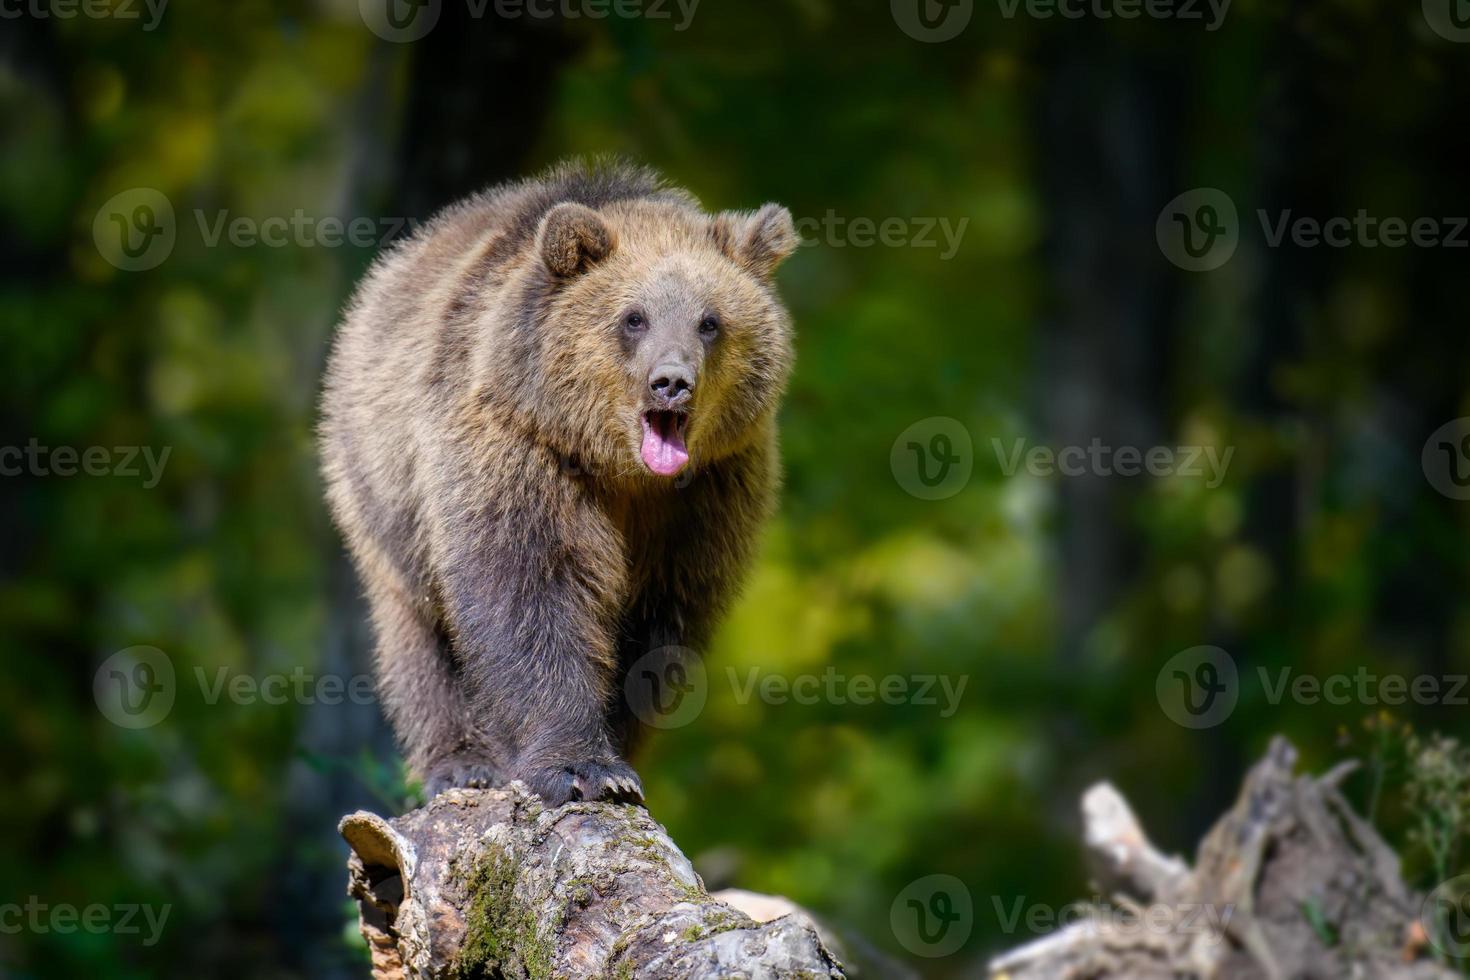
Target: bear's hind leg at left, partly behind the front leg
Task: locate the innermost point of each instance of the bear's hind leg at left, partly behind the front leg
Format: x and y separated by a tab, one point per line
421	696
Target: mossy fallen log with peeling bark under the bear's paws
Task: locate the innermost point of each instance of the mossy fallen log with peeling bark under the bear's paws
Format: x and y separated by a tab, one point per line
492	884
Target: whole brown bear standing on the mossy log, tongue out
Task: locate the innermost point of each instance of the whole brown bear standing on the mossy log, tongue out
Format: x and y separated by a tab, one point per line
549	440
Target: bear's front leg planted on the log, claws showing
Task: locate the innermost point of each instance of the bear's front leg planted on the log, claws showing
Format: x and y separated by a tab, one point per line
533	593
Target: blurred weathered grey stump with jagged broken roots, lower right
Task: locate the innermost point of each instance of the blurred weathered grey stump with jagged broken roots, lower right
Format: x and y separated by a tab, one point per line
1291	884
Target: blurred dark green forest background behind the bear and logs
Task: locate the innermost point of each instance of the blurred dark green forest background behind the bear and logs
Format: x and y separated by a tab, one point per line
1058	321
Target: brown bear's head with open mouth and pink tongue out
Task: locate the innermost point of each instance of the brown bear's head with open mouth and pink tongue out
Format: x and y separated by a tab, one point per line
662	340
